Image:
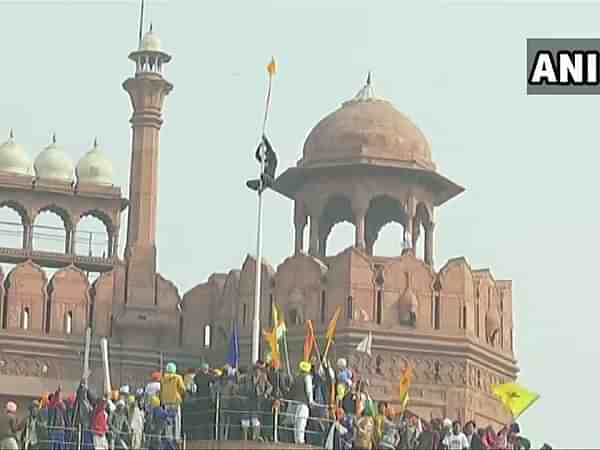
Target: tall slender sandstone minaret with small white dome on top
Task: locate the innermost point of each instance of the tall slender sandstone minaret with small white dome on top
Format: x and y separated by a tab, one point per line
147	90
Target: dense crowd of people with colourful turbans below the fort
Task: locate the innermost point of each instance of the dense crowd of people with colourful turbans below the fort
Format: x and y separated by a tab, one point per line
319	405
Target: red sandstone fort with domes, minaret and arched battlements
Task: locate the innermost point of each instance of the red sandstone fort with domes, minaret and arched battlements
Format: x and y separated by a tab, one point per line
365	163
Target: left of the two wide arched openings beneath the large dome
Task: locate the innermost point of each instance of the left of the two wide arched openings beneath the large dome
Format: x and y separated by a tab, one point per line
337	214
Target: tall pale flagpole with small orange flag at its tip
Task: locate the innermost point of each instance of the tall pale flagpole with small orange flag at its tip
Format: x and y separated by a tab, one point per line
271	68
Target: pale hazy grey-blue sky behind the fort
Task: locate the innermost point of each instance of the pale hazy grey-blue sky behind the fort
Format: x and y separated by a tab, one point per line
530	164
